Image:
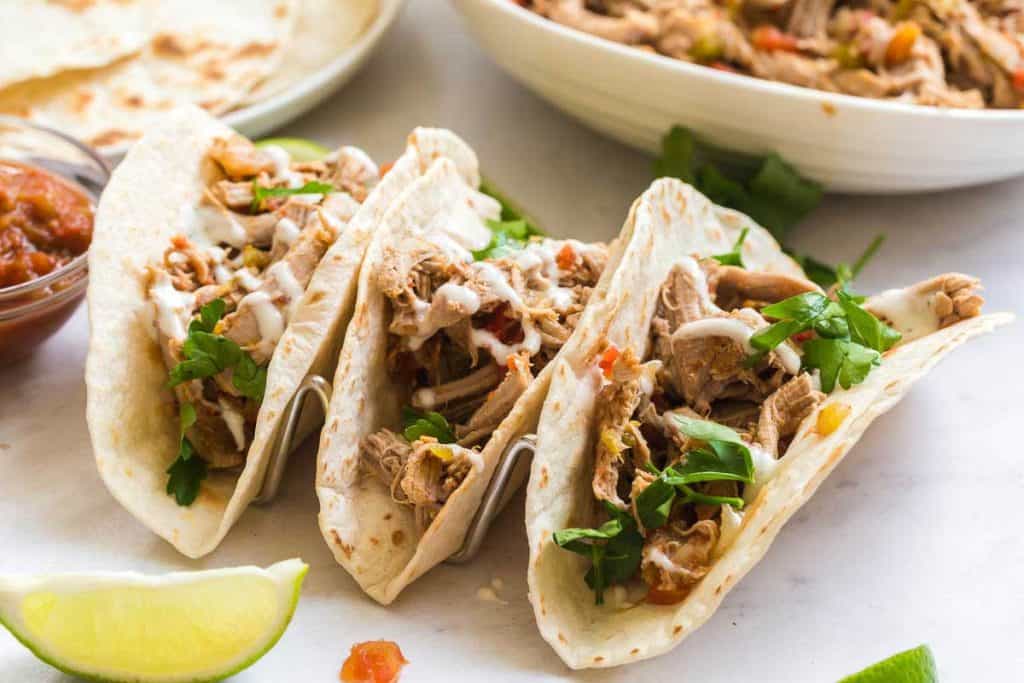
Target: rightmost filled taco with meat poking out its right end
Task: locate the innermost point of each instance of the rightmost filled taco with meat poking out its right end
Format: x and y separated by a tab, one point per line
719	391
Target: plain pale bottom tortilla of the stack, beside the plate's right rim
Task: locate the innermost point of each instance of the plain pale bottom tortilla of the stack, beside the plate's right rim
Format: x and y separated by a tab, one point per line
325	29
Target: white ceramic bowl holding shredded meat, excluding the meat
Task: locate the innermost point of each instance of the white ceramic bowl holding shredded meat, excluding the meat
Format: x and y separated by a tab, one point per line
852	145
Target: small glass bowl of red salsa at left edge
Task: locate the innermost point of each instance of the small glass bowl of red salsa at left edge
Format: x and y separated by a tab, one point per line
50	187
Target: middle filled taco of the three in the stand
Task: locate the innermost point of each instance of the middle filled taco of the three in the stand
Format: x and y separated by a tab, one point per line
463	307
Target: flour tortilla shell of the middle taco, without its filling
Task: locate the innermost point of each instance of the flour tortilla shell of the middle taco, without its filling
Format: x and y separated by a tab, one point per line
374	538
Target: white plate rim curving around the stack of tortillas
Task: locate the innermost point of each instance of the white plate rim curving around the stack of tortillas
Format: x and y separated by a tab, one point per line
258	120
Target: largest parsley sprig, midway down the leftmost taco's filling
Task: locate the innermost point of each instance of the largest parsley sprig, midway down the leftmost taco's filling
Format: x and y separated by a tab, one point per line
207	354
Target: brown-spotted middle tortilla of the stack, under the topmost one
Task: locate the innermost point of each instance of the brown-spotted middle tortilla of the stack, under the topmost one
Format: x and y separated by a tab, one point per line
200	53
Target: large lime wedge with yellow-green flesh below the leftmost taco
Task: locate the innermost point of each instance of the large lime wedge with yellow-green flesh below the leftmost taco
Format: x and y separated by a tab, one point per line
190	626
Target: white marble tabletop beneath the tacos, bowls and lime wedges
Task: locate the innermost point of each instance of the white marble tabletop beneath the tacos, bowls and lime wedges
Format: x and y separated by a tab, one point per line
915	539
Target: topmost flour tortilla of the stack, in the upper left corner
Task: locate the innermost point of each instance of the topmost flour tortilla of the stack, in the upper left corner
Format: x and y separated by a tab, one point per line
40	38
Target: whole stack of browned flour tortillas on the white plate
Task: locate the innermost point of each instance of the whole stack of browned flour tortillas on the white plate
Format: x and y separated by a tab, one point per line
106	70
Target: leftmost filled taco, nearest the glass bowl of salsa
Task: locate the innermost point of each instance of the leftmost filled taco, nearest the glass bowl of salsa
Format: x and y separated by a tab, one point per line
222	275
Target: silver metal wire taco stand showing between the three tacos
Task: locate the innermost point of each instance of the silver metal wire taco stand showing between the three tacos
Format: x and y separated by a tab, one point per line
492	503
